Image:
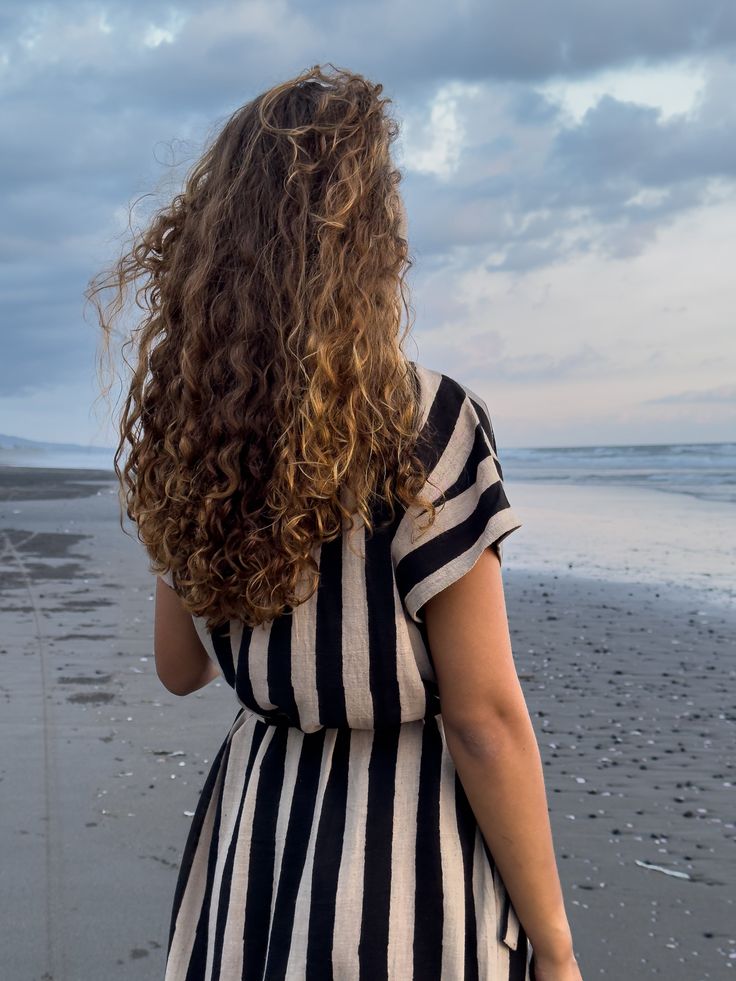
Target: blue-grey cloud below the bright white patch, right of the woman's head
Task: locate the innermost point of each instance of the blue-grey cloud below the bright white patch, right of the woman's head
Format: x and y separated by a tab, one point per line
610	182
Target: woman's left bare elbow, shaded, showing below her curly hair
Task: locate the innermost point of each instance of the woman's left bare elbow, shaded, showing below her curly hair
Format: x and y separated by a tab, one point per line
182	663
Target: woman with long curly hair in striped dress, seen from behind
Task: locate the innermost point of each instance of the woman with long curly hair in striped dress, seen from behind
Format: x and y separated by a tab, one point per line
326	519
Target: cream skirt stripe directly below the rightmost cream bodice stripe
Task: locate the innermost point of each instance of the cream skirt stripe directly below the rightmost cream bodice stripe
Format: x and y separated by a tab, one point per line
403	837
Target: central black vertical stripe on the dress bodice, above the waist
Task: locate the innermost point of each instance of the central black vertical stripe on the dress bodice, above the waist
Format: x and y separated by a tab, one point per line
328	641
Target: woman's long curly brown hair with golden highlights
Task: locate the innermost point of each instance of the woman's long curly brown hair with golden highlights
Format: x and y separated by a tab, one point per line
270	400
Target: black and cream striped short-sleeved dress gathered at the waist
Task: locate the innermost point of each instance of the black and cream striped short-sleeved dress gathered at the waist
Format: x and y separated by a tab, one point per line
332	838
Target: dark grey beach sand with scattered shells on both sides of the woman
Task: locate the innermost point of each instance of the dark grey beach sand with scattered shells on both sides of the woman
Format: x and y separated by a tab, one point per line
631	689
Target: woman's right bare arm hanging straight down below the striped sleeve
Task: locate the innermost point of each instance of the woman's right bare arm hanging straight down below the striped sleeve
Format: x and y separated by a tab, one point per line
490	737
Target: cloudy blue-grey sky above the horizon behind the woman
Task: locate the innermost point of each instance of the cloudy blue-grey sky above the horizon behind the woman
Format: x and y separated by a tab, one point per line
569	176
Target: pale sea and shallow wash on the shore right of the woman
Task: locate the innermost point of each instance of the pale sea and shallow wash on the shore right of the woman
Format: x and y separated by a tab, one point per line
660	513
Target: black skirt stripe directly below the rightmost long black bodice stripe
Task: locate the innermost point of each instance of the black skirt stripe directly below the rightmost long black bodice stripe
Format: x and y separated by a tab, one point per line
374	930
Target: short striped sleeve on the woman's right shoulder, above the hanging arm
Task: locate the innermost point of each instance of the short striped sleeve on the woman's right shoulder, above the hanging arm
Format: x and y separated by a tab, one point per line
463	465
